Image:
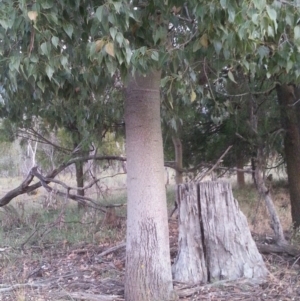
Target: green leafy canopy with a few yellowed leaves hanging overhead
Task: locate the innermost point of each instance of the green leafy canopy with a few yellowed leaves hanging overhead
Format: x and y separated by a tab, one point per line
67	51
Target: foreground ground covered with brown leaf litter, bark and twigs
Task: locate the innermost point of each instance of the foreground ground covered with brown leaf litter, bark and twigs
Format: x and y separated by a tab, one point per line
84	272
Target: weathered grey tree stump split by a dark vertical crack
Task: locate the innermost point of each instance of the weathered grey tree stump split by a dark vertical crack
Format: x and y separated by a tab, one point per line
215	242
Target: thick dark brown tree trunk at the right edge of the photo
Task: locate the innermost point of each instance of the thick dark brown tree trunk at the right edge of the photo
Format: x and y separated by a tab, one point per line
290	122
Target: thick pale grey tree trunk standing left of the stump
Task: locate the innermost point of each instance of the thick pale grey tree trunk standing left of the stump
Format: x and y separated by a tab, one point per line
148	268
